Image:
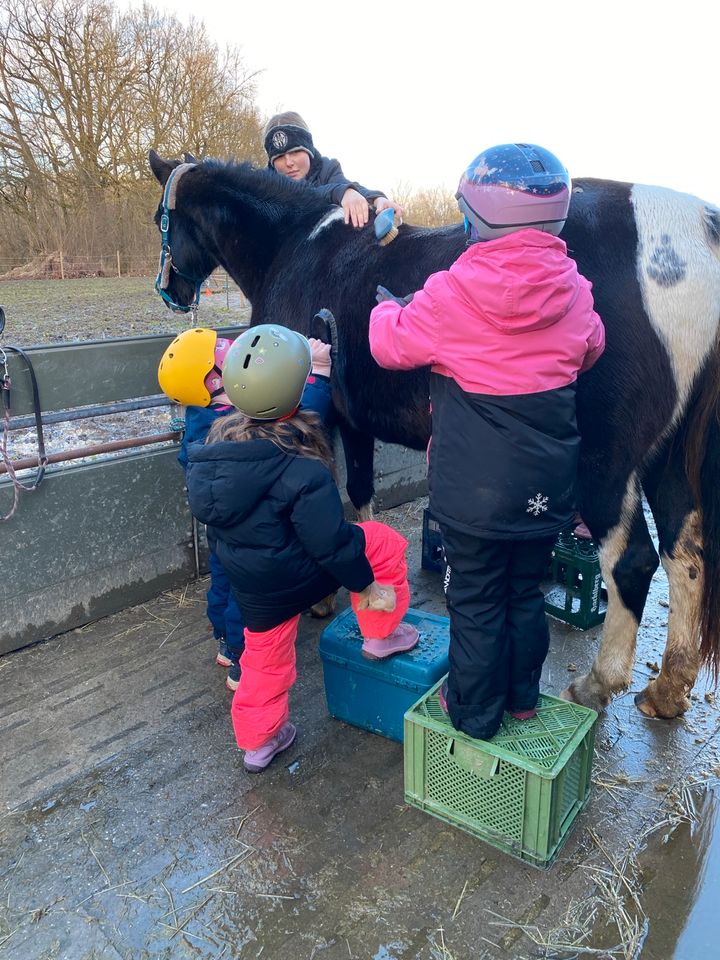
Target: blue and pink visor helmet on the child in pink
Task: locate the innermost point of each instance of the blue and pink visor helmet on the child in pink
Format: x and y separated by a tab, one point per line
511	187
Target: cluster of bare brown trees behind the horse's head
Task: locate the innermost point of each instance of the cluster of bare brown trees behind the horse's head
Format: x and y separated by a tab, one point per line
85	90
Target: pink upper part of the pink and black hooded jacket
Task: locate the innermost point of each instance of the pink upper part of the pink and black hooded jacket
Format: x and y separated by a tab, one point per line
510	316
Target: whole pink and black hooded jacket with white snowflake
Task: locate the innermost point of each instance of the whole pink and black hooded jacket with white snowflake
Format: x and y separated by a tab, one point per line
506	330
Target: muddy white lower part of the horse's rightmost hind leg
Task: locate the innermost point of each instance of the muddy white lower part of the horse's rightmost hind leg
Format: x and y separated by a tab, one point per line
668	695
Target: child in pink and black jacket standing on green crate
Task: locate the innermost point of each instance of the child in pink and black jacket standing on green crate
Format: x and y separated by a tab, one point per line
506	330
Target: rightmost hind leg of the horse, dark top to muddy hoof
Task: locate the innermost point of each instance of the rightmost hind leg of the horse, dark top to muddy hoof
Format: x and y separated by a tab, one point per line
681	553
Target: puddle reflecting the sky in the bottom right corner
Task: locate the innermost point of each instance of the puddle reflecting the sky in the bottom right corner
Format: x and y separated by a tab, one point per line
681	896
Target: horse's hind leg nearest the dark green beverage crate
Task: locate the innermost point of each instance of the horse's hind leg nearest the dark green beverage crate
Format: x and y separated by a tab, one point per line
628	561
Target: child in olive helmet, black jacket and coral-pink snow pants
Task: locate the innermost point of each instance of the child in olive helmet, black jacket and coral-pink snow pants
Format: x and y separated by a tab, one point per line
263	485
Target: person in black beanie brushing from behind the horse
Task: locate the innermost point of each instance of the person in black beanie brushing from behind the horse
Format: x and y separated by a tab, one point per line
292	153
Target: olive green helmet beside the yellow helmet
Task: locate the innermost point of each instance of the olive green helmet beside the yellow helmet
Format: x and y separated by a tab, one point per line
265	371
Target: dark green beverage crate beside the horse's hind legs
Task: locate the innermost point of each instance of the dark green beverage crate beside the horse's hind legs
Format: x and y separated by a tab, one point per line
577	595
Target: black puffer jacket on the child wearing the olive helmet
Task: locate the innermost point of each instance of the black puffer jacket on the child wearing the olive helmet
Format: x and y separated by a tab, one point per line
278	526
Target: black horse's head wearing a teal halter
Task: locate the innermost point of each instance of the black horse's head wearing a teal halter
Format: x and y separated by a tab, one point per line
185	262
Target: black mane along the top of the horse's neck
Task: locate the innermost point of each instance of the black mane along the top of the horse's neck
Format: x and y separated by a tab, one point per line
231	177
